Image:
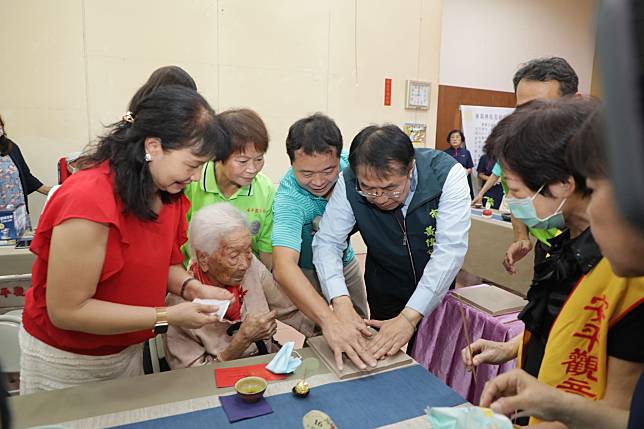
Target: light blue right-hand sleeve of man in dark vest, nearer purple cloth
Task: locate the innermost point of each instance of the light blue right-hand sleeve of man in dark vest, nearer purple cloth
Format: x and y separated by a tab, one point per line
452	229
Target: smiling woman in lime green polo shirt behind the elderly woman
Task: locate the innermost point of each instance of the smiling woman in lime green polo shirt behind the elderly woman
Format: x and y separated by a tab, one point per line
235	178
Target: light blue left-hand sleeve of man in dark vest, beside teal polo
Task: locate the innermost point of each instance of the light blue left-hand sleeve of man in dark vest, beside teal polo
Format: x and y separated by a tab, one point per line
331	240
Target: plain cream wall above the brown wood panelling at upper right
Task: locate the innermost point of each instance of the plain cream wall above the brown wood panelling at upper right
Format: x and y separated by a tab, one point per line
484	41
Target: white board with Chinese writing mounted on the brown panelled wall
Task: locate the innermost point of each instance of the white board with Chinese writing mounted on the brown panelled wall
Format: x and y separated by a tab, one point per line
478	122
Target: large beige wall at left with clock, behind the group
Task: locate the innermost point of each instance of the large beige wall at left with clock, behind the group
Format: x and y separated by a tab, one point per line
69	66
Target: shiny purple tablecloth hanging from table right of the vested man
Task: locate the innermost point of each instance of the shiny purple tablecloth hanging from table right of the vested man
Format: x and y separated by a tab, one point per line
440	340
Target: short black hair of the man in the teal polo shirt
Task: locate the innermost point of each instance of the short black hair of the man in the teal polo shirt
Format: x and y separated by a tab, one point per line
314	134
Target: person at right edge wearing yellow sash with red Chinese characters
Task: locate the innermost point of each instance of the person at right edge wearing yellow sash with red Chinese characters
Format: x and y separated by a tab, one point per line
610	298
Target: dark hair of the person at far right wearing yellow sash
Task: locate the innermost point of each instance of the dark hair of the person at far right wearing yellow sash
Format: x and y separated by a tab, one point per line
586	153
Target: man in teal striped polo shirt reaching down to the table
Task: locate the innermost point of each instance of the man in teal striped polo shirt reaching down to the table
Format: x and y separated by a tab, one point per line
314	146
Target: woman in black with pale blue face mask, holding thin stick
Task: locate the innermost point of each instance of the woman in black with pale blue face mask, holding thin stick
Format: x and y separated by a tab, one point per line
543	192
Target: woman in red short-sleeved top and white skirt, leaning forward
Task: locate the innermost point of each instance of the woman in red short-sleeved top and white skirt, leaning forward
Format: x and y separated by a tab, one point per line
108	247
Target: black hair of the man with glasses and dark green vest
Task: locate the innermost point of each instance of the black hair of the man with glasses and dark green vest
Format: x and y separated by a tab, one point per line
384	149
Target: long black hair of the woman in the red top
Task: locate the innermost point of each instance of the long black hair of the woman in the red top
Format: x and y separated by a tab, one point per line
180	118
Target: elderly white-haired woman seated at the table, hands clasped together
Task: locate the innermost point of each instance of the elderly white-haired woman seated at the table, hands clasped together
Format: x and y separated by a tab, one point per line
222	257
